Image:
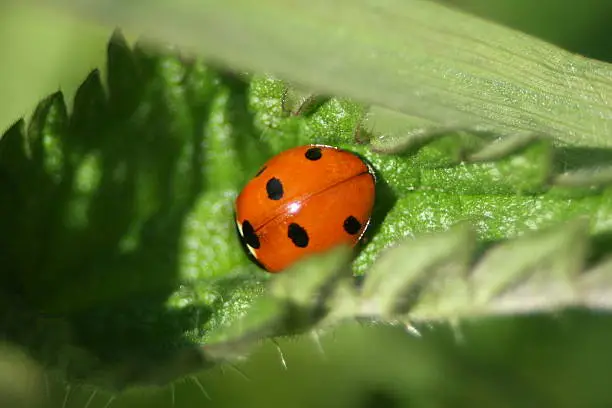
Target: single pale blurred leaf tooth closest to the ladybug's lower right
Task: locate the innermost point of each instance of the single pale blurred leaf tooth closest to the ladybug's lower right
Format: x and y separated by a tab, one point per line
425	276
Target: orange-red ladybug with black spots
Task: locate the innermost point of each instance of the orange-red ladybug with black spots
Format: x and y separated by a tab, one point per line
304	200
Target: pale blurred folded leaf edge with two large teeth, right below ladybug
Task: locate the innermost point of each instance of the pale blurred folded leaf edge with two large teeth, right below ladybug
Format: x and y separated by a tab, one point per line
434	278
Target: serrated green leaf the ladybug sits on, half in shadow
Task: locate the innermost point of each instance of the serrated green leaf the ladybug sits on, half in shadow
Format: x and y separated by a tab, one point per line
124	266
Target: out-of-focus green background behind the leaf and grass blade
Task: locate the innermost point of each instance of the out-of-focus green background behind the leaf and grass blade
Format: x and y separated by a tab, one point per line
561	360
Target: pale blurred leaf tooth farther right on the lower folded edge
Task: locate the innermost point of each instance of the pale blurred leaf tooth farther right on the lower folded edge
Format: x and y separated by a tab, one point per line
535	272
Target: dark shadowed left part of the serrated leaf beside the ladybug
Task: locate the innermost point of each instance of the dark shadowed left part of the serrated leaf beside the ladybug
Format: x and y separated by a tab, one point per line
93	207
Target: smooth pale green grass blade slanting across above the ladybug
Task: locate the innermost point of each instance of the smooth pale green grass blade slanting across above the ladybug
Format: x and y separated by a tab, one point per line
440	66
